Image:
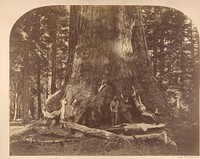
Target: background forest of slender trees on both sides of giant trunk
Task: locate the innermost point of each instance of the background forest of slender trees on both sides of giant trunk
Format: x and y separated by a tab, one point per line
40	61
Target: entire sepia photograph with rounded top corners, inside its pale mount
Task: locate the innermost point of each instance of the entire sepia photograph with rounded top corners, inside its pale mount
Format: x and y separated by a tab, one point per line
104	80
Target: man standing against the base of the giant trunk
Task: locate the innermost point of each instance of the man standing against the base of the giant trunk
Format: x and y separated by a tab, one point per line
114	110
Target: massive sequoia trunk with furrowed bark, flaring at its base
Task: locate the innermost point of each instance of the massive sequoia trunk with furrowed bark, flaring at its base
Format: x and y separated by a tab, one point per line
109	50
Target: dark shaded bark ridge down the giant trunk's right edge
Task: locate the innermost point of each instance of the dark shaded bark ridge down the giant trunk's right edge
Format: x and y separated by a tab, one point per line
144	72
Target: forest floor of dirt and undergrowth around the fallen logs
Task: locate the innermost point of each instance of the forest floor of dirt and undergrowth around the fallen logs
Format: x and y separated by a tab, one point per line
183	130
